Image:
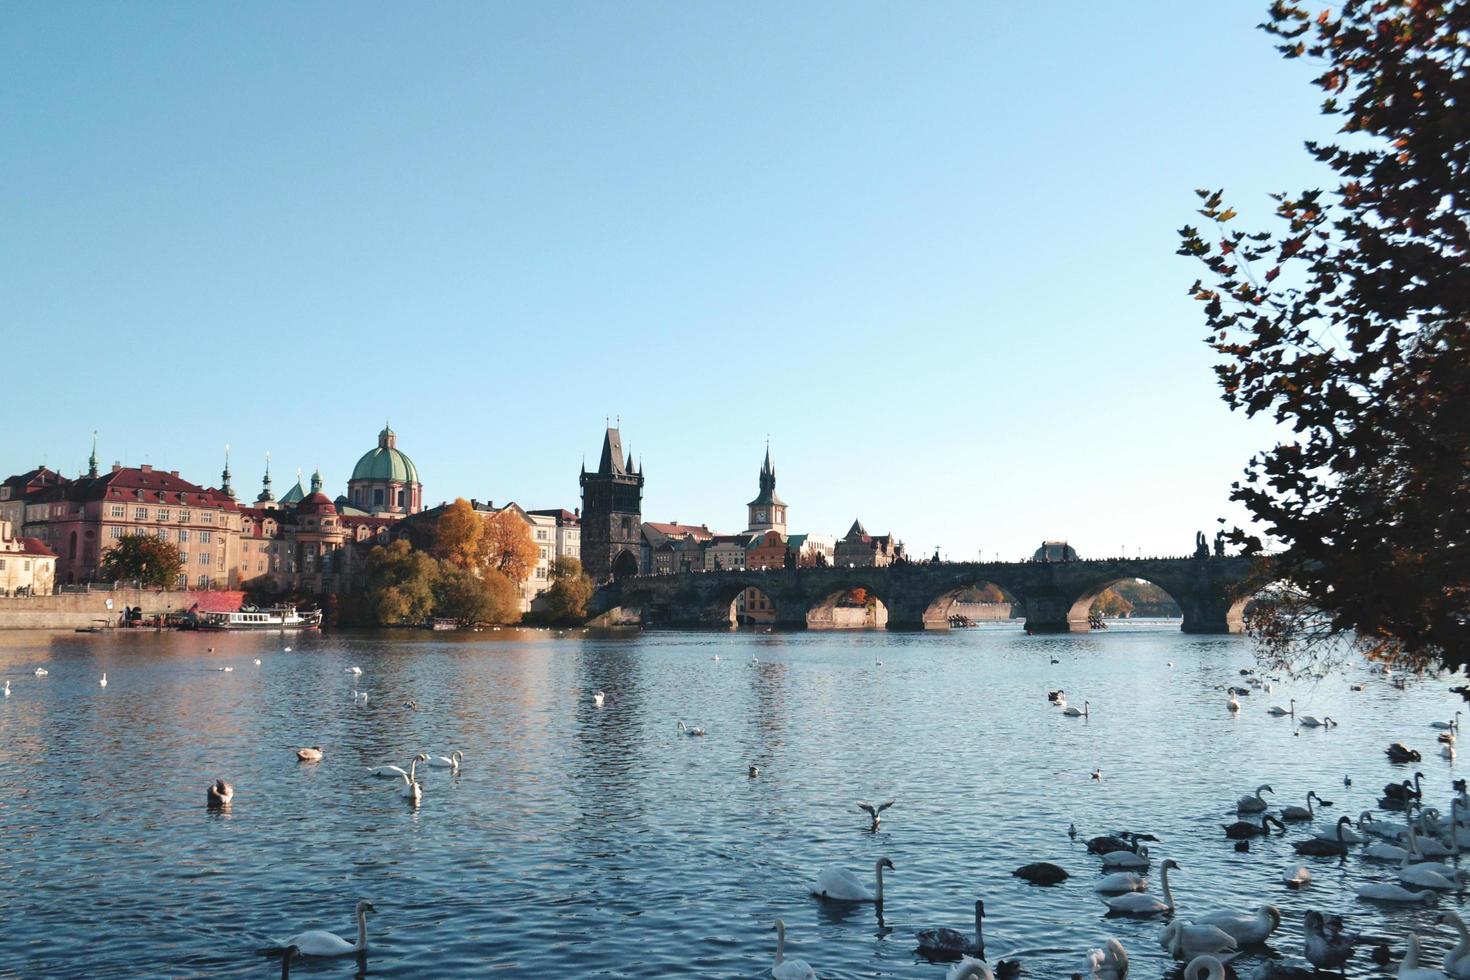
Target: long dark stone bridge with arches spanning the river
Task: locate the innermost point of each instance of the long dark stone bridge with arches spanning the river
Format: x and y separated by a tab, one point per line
1055	596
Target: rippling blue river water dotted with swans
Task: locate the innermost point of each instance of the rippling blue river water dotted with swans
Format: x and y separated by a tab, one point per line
581	841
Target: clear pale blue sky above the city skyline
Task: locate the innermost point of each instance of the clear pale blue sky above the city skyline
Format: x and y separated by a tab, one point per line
927	248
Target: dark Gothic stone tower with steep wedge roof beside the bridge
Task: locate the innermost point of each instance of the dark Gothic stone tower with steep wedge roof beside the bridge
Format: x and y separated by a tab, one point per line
612	514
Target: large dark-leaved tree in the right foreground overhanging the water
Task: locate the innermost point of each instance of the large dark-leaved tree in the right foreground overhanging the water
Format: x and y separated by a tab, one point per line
1349	323
